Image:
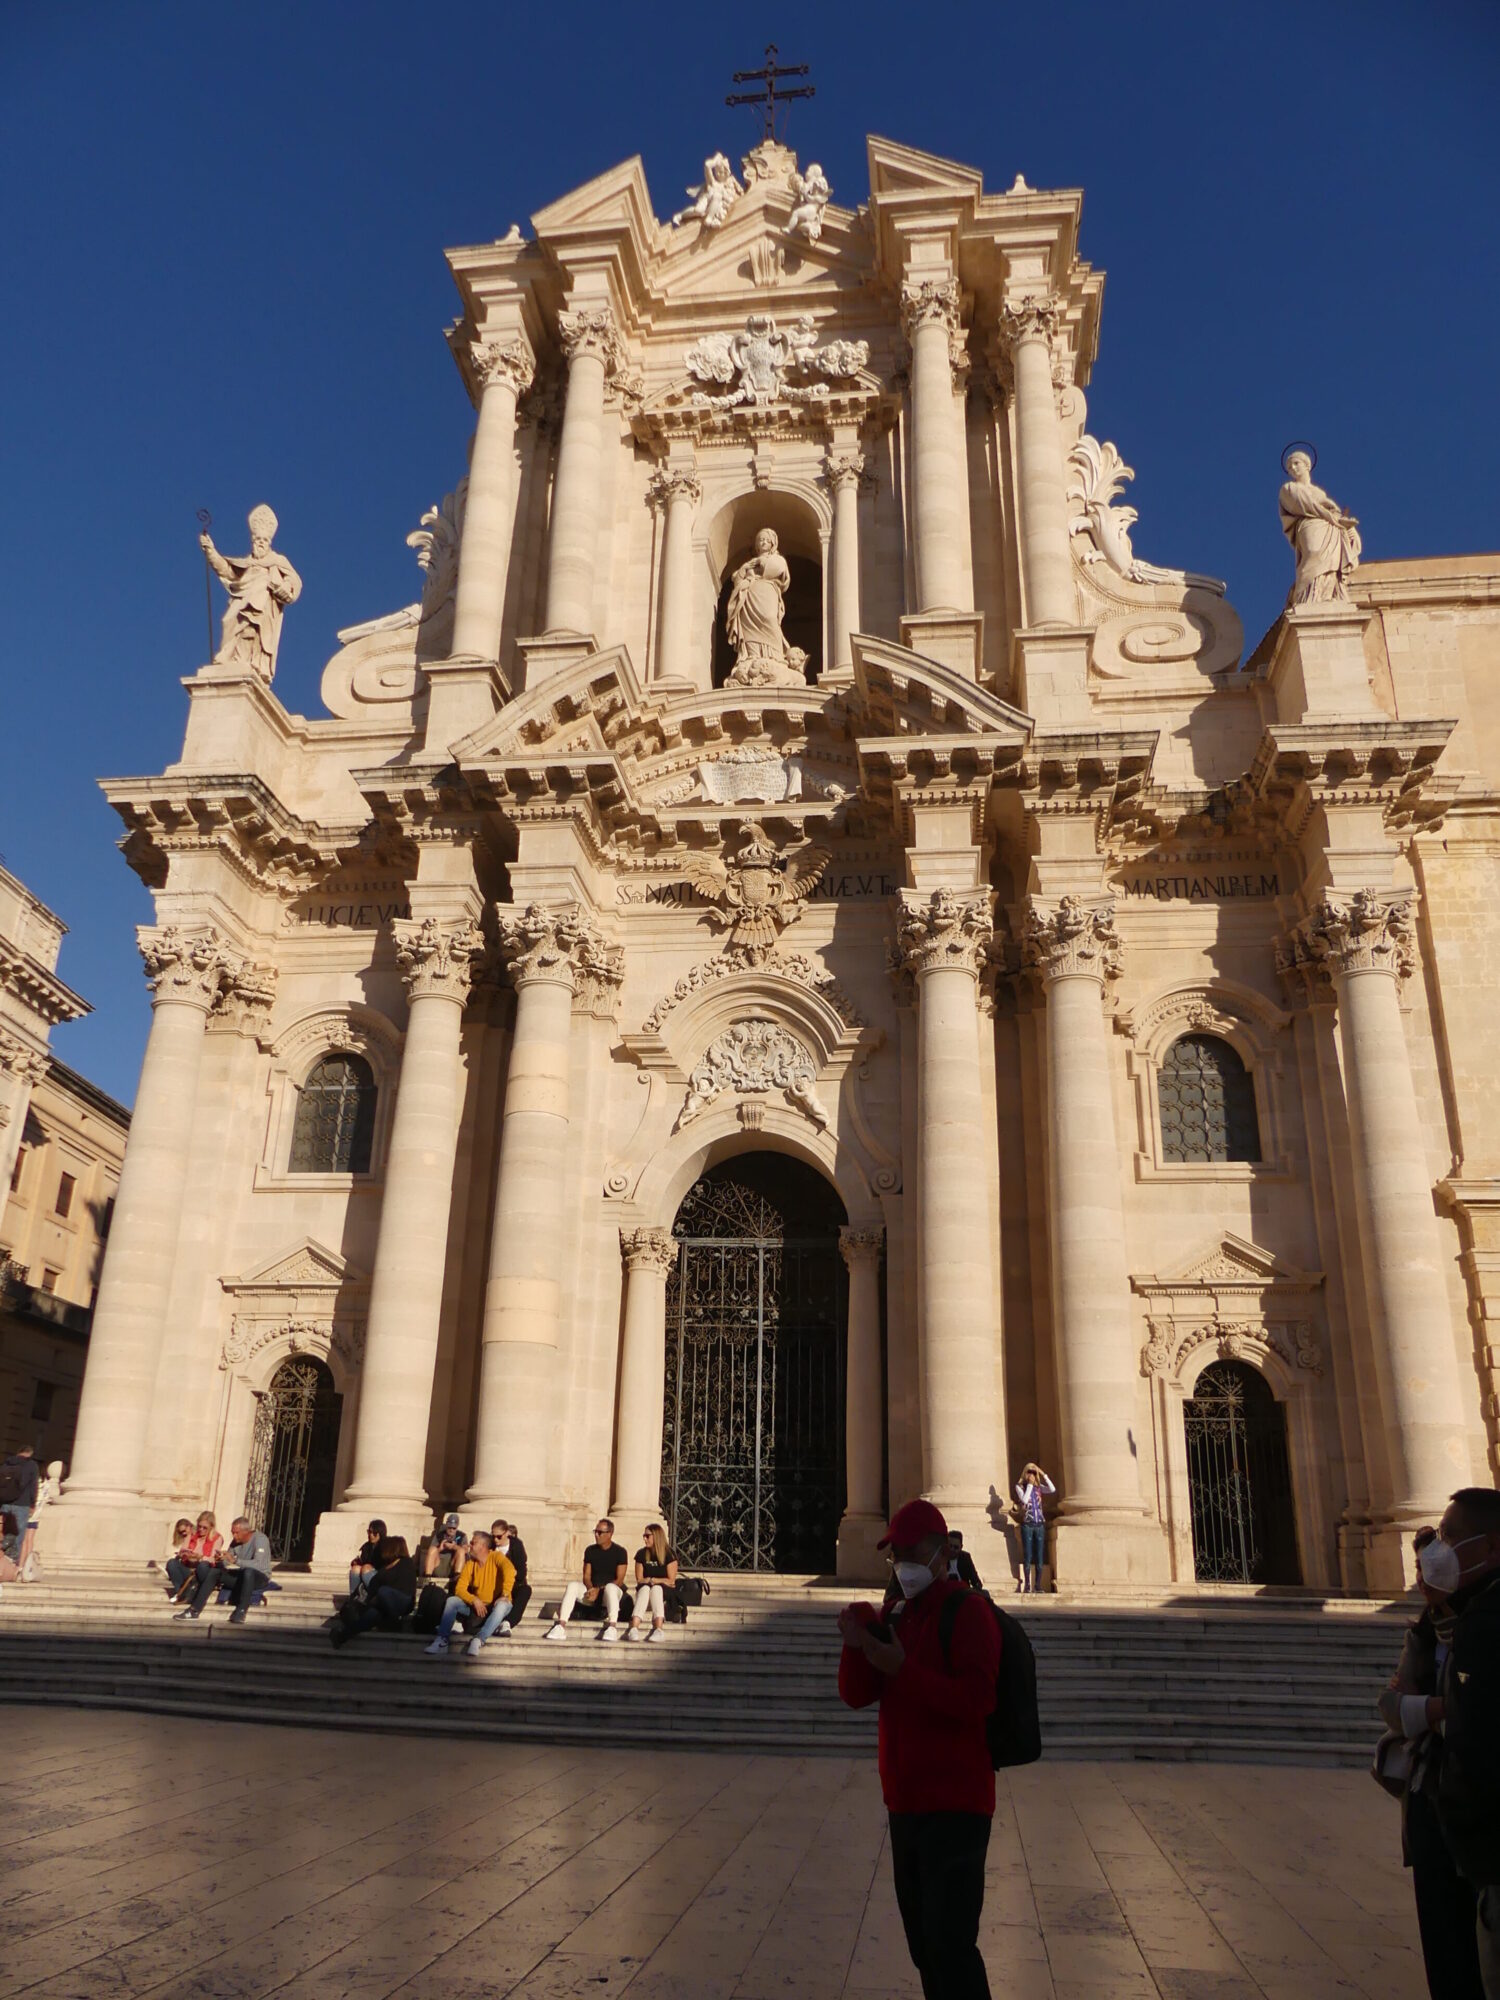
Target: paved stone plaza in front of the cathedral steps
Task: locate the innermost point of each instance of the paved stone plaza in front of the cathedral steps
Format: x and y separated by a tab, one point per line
187	1859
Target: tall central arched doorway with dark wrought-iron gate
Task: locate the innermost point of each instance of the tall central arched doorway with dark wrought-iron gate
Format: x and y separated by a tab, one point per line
753	1437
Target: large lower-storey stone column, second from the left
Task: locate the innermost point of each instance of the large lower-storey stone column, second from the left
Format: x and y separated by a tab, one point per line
401	1343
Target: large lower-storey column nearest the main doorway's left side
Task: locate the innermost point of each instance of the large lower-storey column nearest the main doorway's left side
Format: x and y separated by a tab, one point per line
549	951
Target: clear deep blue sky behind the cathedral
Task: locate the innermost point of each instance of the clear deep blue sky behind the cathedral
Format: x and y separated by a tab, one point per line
221	255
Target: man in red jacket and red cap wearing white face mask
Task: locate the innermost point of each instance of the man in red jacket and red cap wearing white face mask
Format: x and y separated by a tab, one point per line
935	1757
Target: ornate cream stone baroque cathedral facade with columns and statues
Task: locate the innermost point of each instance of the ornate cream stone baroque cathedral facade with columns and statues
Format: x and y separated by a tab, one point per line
805	971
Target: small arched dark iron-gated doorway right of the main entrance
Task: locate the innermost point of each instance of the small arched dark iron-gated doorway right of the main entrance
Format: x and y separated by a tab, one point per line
1241	1481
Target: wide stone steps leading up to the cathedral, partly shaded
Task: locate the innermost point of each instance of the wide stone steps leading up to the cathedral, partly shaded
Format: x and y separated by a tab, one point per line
753	1669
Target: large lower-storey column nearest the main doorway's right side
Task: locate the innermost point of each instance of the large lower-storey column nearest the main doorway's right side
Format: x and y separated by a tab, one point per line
943	941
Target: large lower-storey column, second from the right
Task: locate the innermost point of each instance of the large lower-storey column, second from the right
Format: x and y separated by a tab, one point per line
1097	1359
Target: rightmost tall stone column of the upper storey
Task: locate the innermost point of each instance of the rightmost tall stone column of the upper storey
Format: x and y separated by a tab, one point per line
1041	477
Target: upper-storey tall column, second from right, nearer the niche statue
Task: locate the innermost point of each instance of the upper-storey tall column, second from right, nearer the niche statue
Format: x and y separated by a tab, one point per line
939	481
